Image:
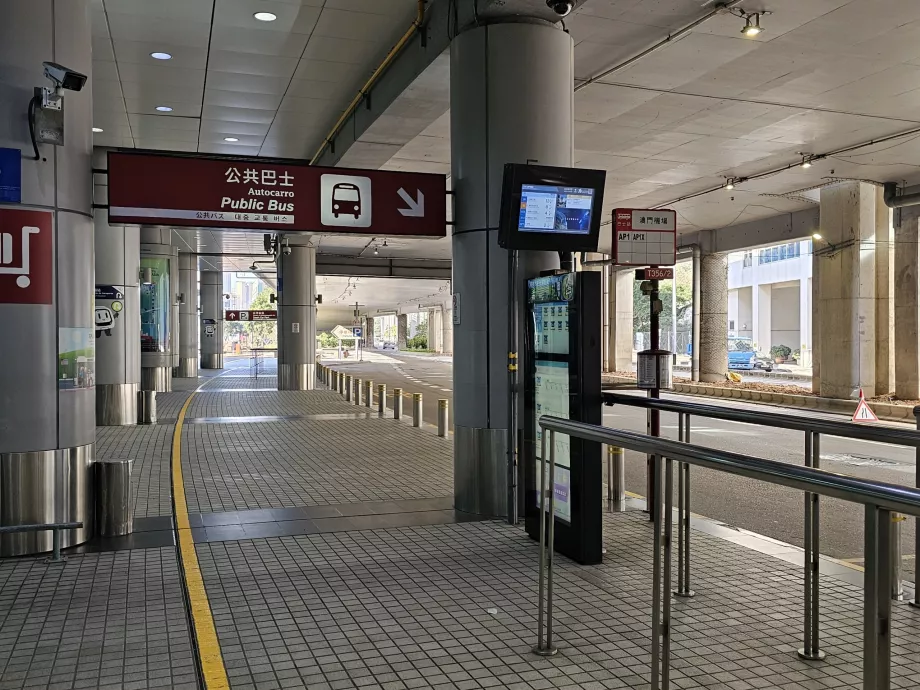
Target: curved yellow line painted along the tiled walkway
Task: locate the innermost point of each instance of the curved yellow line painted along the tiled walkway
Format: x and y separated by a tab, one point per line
212	662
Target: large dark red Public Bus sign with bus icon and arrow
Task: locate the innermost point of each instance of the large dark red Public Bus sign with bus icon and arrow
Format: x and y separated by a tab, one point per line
228	193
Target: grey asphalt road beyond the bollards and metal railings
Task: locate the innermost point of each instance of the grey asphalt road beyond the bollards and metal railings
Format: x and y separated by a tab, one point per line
764	508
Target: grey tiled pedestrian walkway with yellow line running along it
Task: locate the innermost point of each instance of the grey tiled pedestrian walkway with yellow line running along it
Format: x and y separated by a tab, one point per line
329	556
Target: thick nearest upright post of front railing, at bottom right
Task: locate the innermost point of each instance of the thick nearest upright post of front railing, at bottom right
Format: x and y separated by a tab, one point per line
876	600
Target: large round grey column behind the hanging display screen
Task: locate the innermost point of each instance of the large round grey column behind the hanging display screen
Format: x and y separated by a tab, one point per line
512	101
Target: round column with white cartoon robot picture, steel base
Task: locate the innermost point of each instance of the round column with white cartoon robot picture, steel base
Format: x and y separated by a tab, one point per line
118	320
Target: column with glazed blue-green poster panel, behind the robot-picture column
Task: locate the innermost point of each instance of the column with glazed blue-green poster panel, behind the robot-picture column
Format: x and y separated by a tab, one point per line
159	315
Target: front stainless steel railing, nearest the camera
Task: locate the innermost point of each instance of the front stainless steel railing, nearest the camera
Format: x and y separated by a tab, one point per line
880	500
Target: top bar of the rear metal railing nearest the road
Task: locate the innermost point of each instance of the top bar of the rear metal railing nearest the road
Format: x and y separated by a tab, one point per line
831	427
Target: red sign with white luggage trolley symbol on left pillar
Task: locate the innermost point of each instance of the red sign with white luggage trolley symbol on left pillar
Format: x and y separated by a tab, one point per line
26	257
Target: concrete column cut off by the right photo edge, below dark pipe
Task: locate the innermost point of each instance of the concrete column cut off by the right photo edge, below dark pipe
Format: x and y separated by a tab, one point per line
907	302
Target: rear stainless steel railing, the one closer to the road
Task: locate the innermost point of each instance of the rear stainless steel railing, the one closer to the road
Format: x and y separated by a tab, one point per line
813	428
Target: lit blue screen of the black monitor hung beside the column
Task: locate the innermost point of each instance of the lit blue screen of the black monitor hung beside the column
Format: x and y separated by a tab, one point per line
553	209
